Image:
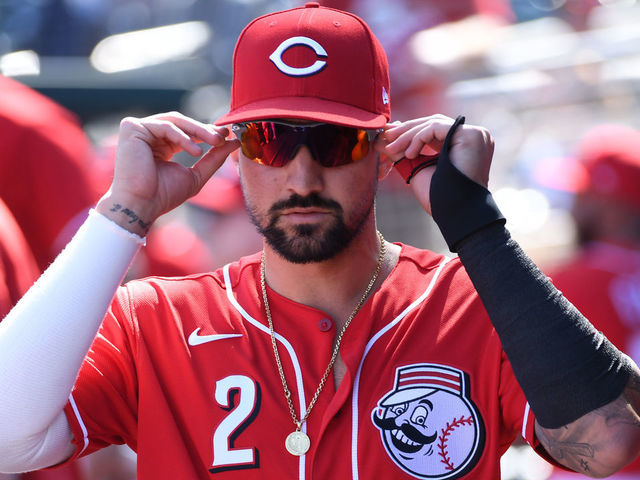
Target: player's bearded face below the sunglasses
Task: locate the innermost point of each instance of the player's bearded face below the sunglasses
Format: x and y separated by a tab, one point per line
307	212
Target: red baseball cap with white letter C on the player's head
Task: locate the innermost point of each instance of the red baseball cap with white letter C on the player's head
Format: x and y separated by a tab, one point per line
310	63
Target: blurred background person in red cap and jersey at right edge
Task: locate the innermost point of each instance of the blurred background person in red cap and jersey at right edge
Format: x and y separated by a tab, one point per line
603	276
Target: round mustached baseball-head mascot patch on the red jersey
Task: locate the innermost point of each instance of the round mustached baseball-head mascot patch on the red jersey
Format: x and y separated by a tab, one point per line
428	424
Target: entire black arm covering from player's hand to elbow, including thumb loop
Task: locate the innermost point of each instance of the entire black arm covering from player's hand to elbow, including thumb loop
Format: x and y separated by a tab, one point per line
565	367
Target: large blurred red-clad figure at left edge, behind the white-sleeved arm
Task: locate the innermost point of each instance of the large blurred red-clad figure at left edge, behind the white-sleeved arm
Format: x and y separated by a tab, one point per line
44	177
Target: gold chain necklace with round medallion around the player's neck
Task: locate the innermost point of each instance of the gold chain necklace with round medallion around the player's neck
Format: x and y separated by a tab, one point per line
297	442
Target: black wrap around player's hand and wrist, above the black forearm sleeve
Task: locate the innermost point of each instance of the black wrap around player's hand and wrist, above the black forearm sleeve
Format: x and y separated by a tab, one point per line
459	205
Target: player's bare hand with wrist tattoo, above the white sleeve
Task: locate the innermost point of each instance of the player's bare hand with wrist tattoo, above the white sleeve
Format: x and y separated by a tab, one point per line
146	183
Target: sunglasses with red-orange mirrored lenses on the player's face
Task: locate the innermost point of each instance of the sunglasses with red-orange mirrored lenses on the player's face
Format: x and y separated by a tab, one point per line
275	143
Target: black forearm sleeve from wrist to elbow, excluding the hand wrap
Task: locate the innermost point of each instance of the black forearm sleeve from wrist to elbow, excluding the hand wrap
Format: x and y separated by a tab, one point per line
565	367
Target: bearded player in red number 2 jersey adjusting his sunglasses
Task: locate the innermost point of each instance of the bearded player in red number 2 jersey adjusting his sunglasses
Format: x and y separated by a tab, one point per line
331	353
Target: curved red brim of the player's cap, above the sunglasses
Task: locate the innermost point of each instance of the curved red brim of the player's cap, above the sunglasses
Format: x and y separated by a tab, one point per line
305	108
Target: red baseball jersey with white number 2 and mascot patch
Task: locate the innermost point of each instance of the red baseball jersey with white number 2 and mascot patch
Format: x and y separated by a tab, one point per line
183	371
